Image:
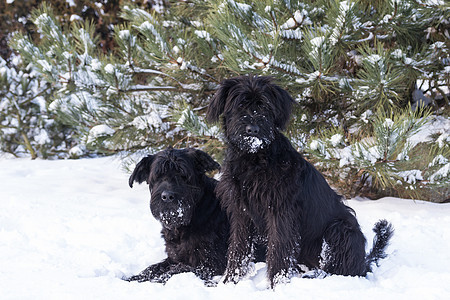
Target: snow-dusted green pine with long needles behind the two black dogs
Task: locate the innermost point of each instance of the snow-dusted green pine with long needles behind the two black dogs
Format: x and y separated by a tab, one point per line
360	71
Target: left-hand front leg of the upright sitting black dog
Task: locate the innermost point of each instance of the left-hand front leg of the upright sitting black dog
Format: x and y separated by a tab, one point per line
240	246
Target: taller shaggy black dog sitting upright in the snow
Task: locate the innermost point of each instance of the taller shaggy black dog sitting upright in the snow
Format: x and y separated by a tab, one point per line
268	189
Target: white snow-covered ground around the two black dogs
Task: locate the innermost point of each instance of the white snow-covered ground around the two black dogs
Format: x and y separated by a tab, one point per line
70	229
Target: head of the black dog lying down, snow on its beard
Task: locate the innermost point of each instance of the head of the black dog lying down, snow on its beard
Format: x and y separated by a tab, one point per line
176	181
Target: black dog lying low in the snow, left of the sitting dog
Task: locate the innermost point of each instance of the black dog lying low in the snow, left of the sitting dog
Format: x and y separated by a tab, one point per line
195	228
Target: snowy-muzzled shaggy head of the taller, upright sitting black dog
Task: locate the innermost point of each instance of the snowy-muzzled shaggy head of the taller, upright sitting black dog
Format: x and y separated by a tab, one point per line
252	110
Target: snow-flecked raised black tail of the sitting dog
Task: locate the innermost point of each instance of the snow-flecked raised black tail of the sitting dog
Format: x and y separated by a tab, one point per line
383	233
